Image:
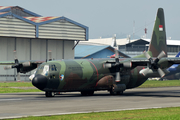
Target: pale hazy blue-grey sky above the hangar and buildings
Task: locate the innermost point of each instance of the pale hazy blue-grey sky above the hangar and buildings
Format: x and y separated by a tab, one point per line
104	18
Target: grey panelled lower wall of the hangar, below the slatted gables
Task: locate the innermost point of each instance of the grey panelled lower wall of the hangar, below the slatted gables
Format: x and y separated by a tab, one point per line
31	49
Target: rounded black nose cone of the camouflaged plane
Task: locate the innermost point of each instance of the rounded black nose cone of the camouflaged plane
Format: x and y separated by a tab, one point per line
40	81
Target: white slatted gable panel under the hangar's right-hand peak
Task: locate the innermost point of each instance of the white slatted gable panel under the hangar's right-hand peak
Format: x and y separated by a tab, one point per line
61	30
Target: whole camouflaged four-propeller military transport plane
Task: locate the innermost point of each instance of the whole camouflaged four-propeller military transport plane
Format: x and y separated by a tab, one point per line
112	74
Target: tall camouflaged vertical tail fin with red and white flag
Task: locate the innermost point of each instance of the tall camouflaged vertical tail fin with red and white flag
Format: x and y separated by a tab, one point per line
158	39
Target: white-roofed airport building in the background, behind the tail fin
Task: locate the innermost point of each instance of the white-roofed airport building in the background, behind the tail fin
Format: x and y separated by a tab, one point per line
134	47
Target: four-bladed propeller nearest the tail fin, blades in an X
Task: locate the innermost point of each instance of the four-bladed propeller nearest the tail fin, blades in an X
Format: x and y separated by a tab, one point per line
153	64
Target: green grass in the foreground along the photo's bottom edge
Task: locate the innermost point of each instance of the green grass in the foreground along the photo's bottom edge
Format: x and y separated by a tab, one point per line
172	113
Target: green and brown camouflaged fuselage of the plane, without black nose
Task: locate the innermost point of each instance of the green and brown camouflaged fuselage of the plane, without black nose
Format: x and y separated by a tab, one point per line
84	75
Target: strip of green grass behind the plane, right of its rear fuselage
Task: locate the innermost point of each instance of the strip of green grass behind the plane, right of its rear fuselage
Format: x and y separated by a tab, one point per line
154	83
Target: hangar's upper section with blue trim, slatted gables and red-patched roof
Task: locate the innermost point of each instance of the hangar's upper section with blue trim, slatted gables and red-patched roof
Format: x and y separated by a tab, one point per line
19	22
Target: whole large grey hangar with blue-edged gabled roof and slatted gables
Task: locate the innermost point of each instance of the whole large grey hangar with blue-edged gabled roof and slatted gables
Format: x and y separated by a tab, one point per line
33	35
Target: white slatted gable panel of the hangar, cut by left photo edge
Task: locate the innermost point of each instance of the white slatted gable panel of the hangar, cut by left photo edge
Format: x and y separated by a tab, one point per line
11	26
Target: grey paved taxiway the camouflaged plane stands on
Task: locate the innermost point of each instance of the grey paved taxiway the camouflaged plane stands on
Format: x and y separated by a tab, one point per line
36	104
